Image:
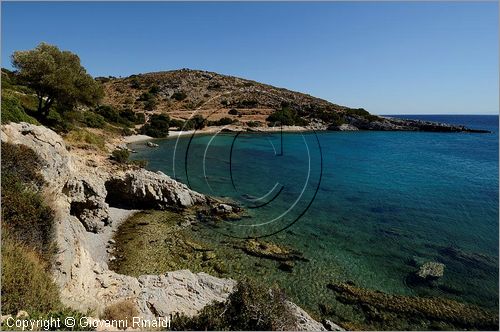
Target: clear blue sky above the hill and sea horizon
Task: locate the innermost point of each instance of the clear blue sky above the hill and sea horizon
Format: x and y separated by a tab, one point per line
390	58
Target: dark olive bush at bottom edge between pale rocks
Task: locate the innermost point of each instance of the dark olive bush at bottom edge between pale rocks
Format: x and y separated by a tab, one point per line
250	307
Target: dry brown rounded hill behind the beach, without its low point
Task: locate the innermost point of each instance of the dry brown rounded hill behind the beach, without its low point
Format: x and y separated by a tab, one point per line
179	93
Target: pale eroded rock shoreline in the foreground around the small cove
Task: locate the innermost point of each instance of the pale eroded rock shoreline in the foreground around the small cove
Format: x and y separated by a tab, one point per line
89	201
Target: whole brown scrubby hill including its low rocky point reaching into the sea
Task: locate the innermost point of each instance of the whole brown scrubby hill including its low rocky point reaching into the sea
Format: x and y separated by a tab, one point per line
183	93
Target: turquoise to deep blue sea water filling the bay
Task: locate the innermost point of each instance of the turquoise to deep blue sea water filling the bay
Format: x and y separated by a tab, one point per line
386	202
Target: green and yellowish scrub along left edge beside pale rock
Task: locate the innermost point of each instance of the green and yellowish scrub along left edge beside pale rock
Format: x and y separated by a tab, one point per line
27	234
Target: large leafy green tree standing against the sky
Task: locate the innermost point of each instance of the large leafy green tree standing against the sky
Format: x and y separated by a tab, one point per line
56	76
